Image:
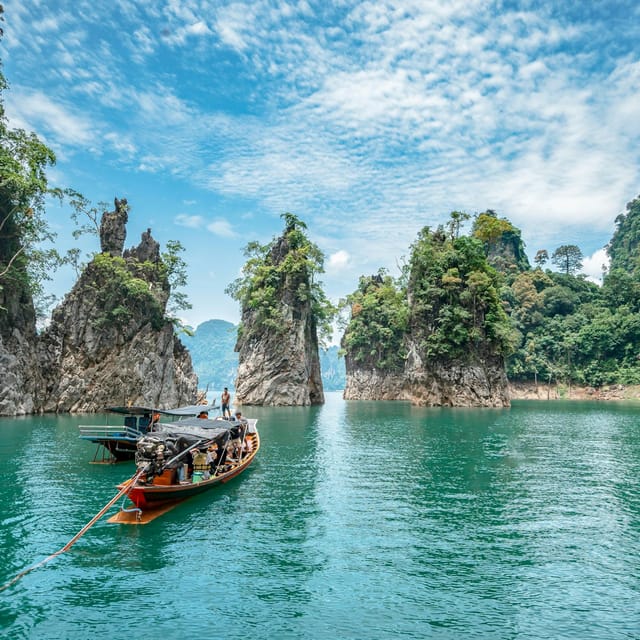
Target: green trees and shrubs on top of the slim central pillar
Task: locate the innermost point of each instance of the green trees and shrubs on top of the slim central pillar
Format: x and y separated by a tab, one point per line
283	272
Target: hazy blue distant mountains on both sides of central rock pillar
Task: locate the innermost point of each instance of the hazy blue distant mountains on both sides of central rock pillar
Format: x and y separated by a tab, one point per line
216	363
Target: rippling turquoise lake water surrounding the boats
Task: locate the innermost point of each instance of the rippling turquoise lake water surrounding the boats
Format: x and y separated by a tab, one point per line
358	520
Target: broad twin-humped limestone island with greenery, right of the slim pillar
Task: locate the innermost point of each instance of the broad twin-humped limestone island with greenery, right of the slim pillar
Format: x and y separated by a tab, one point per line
452	344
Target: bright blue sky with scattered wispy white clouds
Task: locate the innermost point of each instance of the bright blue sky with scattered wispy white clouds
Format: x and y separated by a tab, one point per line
367	120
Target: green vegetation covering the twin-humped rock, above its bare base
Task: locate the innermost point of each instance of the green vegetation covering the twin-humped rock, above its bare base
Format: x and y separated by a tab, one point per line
450	305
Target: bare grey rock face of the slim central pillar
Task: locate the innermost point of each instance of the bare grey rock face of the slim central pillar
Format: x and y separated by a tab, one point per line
279	365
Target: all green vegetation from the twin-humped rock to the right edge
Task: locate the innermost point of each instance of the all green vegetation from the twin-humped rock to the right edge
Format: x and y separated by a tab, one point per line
549	325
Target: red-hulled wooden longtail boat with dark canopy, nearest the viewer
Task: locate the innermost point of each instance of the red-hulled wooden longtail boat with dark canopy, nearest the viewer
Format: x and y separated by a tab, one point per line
184	459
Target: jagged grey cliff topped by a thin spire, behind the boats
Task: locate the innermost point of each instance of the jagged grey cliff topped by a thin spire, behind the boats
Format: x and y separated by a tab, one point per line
108	342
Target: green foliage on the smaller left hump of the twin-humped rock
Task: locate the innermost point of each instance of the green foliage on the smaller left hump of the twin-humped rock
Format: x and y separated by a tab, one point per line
378	323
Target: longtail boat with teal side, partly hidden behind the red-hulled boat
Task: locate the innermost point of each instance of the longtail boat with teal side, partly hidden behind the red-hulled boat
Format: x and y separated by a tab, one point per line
117	442
